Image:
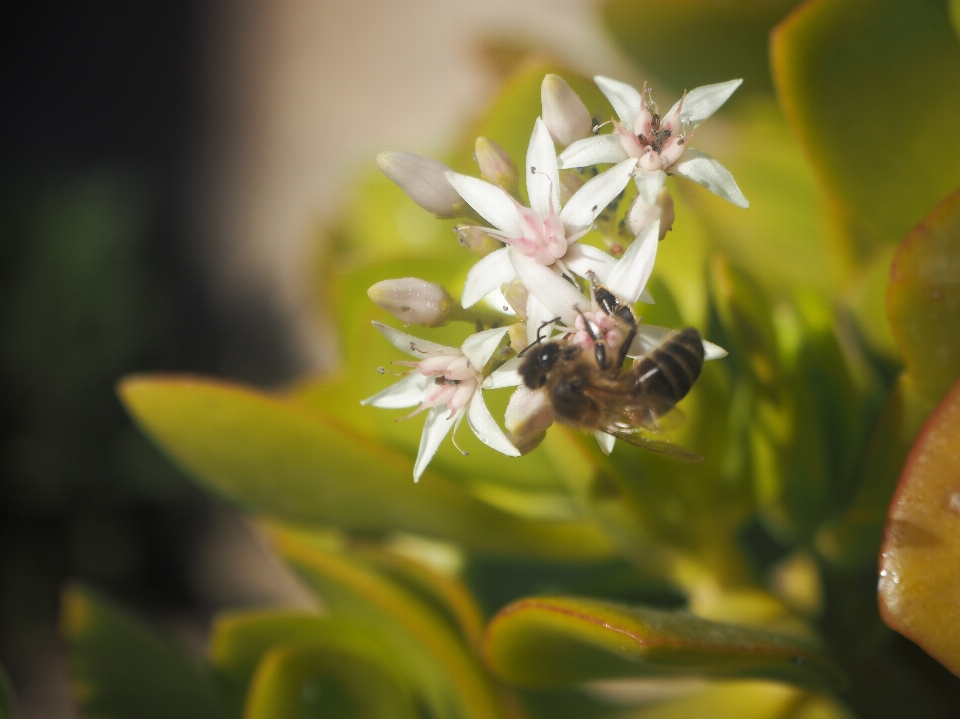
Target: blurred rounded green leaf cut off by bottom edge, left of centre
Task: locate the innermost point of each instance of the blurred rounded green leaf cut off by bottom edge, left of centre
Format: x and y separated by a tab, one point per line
296	681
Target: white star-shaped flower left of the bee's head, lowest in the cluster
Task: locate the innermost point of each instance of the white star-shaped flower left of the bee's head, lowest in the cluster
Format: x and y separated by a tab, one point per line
446	381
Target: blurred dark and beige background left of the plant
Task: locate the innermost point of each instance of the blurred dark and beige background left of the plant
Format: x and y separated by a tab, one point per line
164	168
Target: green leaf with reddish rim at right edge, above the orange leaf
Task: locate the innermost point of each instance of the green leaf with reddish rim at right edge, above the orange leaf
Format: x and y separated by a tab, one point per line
923	300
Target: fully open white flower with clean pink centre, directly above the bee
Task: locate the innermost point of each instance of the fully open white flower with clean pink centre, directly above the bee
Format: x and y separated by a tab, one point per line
545	233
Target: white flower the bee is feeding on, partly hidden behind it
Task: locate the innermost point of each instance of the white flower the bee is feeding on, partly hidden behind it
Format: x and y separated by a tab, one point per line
561	300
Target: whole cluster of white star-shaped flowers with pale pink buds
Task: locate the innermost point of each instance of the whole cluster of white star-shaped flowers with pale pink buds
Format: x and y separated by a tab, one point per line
531	259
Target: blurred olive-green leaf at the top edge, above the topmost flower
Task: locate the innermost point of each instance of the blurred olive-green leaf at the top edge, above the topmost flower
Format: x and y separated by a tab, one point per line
697	42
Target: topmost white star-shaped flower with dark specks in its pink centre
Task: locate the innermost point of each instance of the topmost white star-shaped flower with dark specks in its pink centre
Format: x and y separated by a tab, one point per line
658	143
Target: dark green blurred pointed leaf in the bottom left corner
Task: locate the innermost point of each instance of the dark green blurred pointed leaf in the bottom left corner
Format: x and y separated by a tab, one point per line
121	669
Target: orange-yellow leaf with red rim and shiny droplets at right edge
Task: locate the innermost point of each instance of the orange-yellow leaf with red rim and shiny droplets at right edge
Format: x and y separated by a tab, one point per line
920	558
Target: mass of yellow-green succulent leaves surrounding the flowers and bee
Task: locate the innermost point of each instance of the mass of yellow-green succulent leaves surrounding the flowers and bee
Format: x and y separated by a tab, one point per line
755	566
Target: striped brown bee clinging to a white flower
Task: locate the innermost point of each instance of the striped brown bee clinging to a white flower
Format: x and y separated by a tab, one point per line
594	391
